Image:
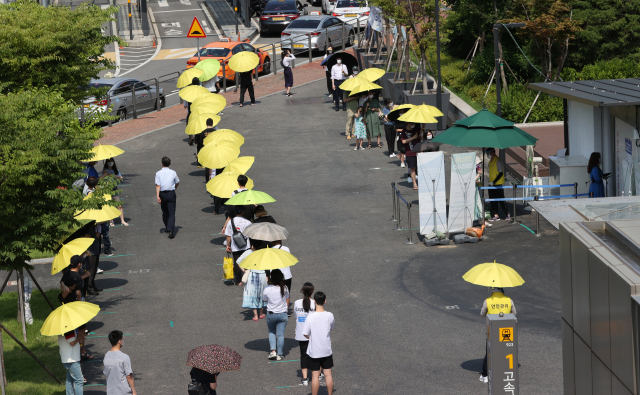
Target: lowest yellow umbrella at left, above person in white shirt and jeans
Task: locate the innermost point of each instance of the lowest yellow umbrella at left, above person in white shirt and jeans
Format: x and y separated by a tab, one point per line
68	317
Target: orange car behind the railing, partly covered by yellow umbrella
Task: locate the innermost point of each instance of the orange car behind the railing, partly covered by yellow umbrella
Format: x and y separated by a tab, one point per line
223	50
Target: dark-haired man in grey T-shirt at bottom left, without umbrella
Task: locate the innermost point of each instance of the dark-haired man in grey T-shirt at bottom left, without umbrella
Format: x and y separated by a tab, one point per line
117	367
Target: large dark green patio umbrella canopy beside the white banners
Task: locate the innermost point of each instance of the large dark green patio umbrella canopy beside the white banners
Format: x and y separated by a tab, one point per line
485	129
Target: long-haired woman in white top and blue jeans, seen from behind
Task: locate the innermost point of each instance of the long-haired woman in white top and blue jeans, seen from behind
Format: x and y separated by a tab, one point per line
276	294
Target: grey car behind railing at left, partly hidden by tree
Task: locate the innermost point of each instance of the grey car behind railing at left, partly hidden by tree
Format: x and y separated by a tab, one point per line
120	97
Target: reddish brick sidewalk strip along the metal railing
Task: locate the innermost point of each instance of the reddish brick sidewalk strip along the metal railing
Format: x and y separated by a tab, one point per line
169	116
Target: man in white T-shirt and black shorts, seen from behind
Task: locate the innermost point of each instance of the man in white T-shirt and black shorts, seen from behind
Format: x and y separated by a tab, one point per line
317	329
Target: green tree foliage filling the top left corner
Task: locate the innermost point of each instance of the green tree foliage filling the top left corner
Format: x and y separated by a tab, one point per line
52	47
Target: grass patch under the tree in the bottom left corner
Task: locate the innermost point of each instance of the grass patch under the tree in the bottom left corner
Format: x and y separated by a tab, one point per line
24	375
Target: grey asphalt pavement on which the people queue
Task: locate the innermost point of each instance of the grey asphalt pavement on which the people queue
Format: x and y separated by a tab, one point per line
406	322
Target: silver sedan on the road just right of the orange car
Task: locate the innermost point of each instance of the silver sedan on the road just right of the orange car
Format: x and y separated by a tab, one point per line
325	31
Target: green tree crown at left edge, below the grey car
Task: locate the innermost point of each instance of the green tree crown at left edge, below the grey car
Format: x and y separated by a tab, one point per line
41	146
